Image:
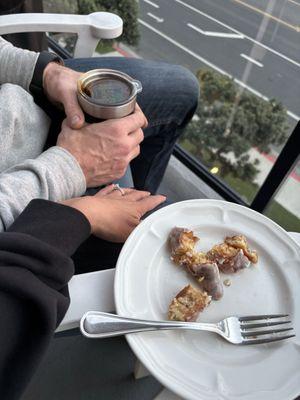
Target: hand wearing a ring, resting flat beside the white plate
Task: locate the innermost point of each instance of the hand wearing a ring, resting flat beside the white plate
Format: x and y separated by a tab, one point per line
113	216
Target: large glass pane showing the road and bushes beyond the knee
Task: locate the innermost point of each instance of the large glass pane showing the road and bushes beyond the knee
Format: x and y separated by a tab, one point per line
246	57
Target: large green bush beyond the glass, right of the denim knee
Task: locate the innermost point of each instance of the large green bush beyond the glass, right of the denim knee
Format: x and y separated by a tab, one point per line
231	122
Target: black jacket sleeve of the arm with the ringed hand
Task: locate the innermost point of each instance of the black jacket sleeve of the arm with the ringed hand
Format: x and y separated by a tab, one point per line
35	267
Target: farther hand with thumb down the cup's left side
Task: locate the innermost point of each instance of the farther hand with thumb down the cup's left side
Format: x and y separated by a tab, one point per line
60	86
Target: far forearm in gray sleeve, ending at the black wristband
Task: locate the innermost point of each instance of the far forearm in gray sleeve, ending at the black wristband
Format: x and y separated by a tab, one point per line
16	65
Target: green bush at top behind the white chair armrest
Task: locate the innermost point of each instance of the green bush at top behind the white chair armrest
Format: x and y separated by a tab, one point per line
126	9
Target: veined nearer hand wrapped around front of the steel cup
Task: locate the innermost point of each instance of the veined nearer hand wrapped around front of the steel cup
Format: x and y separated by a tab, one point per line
105	149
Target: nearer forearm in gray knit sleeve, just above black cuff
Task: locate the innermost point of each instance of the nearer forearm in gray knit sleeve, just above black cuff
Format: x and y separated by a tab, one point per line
54	175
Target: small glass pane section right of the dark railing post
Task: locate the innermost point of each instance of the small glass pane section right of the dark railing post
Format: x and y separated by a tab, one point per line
285	207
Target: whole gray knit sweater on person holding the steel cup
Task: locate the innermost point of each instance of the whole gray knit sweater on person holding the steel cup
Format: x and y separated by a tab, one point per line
25	172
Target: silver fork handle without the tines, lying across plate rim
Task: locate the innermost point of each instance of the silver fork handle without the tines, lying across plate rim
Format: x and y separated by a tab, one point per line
101	325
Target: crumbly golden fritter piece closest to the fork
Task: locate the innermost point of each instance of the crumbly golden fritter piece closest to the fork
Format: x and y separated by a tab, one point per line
187	304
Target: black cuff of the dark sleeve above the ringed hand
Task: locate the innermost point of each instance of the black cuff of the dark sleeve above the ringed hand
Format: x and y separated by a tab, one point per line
60	226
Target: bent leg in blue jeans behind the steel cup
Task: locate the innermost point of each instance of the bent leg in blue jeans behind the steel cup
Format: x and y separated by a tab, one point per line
169	99
